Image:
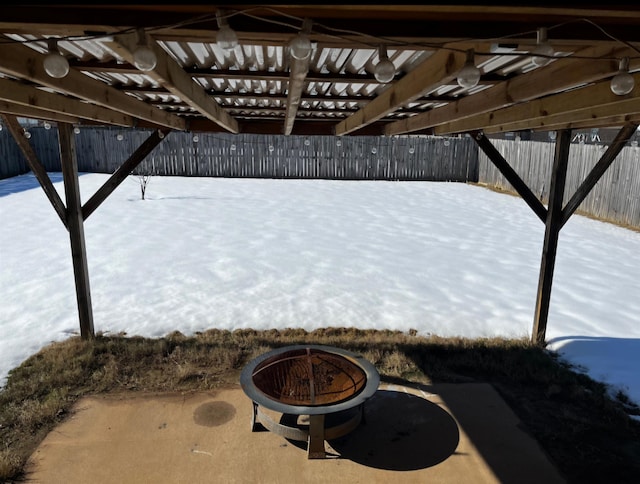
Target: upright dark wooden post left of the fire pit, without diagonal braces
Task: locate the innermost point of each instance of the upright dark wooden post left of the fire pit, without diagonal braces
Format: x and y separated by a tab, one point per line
75	224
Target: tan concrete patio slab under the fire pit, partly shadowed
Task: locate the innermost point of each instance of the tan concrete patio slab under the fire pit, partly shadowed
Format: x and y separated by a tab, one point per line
449	433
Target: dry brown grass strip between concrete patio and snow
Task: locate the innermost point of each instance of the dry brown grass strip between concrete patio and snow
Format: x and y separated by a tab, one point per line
587	434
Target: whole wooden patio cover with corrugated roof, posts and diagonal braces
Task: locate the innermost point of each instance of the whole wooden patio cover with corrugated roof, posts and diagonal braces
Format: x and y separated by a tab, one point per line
388	70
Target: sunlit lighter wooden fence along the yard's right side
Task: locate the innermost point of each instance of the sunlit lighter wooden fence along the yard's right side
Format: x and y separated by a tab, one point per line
615	198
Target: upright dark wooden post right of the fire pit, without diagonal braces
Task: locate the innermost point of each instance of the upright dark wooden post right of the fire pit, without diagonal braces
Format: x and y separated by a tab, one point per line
552	231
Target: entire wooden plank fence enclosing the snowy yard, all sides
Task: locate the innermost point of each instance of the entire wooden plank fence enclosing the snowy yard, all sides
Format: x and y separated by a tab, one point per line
615	198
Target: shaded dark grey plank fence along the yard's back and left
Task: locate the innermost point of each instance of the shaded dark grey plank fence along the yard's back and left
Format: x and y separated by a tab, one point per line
264	156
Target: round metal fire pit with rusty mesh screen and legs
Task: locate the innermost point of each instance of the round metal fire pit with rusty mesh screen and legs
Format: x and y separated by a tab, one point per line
311	381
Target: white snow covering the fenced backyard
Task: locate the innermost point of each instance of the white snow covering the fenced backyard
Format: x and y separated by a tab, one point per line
446	259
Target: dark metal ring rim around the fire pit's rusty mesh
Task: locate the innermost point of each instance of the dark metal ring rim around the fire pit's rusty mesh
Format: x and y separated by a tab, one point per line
260	398
